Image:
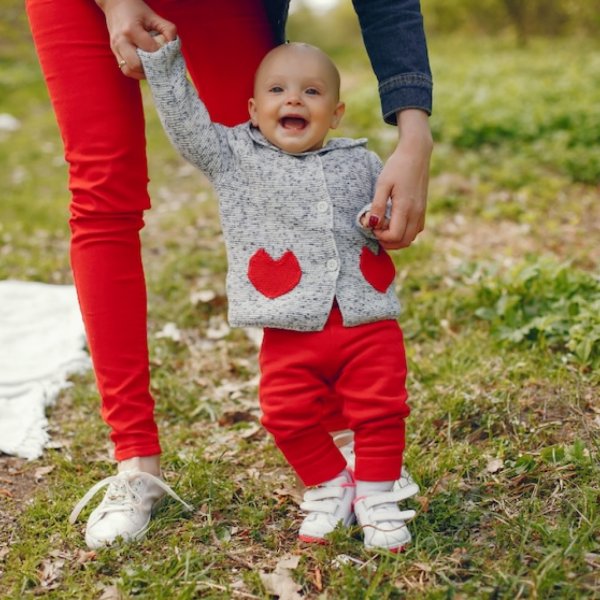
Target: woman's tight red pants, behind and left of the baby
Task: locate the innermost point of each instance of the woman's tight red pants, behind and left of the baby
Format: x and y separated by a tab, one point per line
99	112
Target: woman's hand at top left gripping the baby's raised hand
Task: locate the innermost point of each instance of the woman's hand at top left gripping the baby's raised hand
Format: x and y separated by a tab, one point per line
130	23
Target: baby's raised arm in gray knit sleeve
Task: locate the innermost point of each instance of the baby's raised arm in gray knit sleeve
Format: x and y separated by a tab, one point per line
181	112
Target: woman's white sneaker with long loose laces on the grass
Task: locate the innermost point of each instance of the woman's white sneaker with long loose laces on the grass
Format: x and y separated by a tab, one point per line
125	509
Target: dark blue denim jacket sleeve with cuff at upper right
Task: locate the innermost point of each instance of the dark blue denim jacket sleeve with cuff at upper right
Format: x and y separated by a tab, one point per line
395	41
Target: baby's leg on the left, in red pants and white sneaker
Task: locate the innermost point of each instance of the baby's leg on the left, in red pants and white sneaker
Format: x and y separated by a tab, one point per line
296	368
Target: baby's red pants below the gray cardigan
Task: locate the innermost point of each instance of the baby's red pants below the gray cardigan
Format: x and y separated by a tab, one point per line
365	367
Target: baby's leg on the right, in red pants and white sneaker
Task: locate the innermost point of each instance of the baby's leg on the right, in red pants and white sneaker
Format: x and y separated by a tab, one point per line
373	386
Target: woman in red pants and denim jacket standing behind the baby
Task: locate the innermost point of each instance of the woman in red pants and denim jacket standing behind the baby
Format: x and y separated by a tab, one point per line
88	55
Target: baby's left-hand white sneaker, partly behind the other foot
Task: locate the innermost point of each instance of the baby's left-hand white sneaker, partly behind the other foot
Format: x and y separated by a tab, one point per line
327	505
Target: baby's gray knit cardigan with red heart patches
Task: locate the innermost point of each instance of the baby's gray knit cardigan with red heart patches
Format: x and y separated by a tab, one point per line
289	220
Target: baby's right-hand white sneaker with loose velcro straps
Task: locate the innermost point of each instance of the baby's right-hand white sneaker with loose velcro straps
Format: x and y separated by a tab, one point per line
382	522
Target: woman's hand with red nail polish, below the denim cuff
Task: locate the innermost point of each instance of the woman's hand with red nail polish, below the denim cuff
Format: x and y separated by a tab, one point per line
404	179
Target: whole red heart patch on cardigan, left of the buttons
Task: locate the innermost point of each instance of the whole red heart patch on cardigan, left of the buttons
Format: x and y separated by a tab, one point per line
273	278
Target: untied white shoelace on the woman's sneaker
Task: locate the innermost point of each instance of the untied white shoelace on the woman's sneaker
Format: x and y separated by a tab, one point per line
121	494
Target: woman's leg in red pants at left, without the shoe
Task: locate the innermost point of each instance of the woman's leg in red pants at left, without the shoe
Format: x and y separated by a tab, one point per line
99	113
